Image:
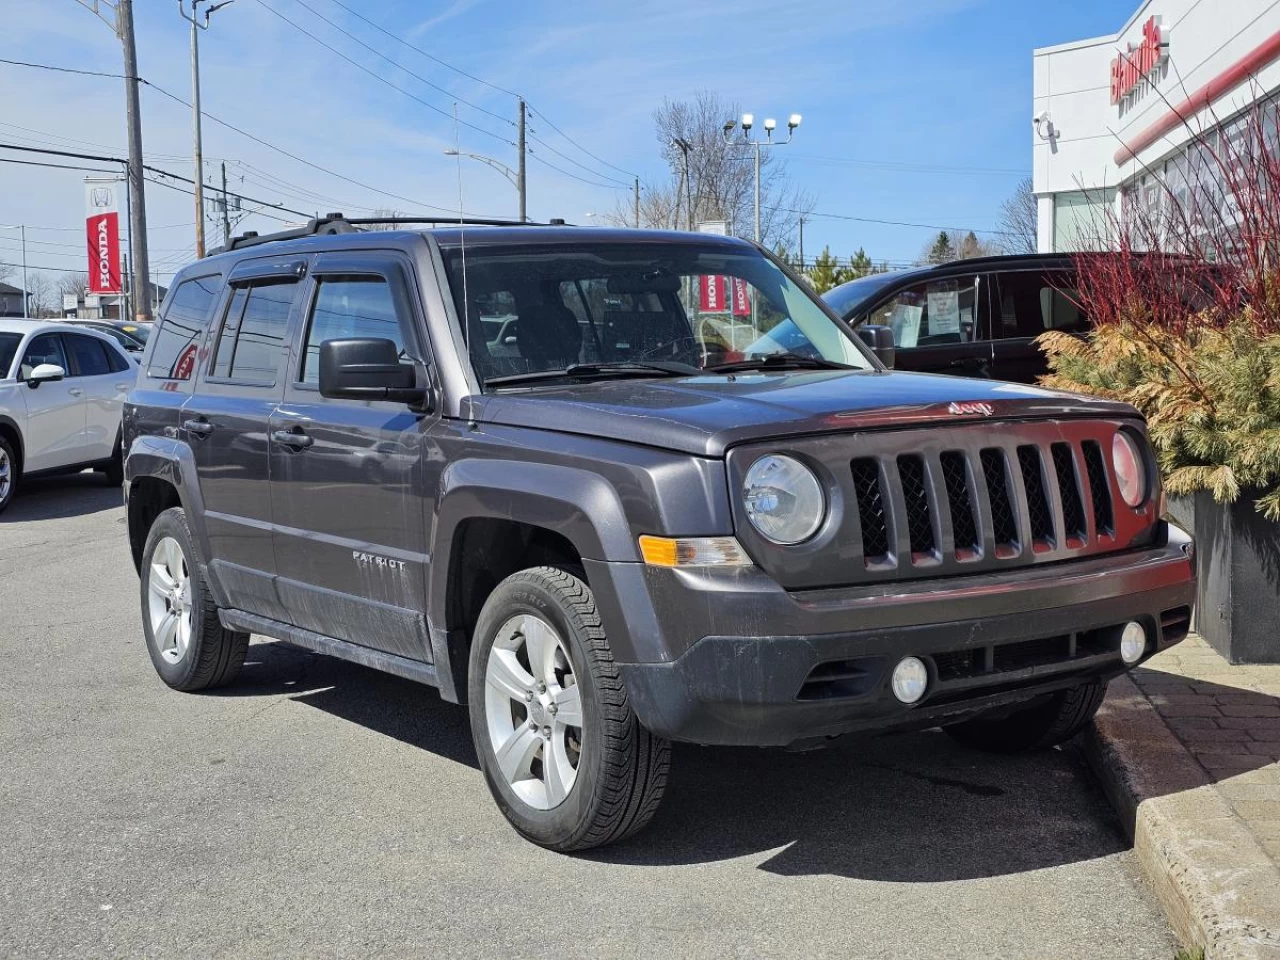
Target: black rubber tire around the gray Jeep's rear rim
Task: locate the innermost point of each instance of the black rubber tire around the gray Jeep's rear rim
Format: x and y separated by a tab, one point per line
214	655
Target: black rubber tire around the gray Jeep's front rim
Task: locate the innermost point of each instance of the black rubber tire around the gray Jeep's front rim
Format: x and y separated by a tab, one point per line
623	770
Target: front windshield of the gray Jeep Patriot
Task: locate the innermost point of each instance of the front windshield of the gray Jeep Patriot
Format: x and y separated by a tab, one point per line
534	309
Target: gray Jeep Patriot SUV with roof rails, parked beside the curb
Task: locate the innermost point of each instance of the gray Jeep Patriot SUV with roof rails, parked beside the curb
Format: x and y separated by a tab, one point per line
569	478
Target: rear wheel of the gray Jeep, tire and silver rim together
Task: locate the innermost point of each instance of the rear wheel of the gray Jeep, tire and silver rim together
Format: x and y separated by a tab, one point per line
189	646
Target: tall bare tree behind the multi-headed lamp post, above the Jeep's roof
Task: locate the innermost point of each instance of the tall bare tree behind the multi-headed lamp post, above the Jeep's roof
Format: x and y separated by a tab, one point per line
721	177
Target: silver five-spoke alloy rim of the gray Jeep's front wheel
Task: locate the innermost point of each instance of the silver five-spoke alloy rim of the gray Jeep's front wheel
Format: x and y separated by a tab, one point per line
534	712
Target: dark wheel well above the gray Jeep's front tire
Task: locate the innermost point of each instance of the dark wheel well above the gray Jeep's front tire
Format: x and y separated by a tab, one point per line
486	552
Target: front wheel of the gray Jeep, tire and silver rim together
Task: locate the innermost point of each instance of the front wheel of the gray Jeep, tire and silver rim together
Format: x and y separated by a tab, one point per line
561	749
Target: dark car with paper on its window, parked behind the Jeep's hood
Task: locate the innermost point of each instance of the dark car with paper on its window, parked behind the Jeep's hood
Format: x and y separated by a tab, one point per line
970	318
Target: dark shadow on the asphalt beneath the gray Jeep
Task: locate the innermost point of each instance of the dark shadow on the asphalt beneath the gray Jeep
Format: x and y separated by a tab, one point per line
907	808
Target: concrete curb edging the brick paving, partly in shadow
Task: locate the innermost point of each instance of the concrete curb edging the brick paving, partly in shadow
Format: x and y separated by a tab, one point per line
1218	888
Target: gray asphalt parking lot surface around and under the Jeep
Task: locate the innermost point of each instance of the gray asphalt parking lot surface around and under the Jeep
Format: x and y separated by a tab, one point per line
323	810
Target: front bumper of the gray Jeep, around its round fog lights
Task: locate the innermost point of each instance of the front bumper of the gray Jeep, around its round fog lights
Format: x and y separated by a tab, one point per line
726	660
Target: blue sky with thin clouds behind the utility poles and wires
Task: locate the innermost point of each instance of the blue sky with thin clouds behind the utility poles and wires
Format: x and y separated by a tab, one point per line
916	111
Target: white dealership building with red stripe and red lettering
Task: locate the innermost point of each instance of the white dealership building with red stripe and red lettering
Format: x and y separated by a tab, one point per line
1155	100
